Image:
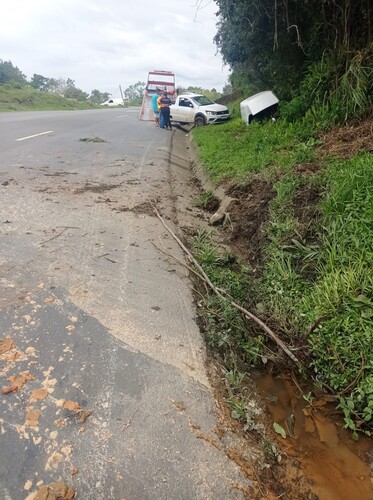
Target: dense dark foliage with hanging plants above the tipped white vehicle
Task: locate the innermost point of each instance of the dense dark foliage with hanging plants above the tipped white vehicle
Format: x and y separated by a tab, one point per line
277	43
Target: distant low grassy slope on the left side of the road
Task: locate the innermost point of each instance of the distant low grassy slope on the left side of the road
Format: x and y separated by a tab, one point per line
30	99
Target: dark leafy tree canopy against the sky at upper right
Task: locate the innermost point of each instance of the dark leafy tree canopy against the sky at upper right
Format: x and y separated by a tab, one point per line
273	43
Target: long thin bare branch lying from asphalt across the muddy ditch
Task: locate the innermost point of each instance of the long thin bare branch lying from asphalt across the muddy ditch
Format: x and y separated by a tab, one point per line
207	280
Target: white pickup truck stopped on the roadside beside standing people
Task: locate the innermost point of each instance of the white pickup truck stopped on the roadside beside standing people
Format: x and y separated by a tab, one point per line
197	109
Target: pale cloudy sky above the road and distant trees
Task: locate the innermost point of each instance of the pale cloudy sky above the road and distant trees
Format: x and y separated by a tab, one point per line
103	43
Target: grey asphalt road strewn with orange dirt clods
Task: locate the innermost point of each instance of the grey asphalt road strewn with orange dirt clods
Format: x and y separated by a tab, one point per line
103	348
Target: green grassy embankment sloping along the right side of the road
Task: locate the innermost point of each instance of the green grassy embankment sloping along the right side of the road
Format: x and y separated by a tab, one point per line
314	281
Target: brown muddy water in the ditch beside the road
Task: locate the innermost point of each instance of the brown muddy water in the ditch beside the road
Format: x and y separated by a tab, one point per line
339	467
